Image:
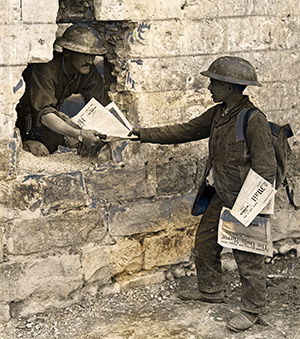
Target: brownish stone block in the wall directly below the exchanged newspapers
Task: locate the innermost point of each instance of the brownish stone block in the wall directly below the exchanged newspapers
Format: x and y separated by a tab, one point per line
117	183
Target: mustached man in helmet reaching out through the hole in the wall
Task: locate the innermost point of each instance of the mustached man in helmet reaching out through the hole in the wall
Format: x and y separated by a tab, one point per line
42	126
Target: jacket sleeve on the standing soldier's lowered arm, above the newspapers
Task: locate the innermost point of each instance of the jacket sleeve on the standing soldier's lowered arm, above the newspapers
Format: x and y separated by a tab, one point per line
259	141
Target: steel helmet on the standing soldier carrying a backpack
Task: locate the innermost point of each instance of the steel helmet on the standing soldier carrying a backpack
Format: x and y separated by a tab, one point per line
234	70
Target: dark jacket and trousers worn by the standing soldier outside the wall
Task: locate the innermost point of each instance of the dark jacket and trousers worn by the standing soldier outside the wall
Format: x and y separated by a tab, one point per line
230	160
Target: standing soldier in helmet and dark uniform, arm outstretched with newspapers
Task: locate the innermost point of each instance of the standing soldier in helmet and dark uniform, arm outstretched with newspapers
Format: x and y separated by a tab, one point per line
228	164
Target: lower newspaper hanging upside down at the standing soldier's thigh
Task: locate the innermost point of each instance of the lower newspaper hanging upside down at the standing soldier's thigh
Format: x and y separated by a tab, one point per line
256	238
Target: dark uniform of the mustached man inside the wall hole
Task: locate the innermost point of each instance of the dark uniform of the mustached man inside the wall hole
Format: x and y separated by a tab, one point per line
47	85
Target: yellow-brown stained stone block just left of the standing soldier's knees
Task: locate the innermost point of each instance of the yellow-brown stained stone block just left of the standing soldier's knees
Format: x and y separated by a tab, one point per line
167	249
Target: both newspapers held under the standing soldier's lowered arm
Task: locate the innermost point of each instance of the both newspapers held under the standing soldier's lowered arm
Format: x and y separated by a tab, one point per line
246	226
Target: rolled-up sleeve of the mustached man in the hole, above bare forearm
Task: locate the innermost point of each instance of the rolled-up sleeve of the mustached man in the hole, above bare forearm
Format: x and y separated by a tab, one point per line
42	91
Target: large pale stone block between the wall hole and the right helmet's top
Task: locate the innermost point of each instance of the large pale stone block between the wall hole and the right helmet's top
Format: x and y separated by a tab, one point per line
169	38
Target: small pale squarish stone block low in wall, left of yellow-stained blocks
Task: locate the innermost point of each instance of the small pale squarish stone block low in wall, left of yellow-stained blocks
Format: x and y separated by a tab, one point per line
96	265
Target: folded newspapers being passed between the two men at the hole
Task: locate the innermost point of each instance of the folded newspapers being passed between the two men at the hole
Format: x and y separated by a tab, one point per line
107	120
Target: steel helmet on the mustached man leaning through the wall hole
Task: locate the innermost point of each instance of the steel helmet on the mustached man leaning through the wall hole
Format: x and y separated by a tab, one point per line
83	39
